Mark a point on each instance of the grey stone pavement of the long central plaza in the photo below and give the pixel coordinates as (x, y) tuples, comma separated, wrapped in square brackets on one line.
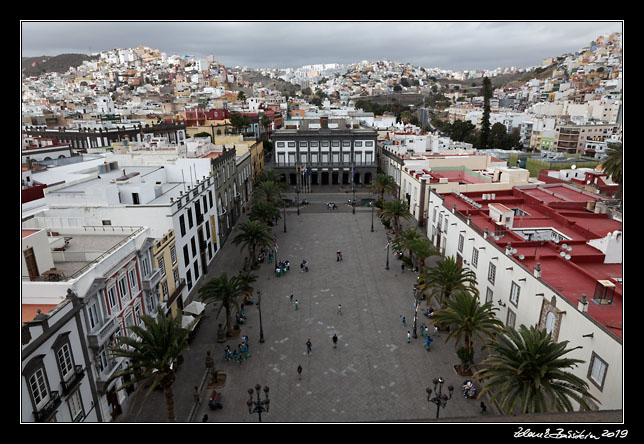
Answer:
[(373, 375)]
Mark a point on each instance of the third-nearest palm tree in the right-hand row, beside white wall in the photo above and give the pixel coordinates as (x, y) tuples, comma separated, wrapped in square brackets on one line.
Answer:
[(446, 277)]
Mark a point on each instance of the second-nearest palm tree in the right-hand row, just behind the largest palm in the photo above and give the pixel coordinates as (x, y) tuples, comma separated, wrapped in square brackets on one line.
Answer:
[(467, 320)]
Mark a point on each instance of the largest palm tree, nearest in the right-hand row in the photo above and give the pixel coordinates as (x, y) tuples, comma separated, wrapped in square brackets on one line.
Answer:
[(527, 371)]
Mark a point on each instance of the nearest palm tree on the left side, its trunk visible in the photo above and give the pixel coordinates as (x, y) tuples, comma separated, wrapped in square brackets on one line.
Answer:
[(152, 350)]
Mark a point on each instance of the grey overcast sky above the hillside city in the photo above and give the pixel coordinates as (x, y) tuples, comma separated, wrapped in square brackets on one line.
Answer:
[(447, 45)]
